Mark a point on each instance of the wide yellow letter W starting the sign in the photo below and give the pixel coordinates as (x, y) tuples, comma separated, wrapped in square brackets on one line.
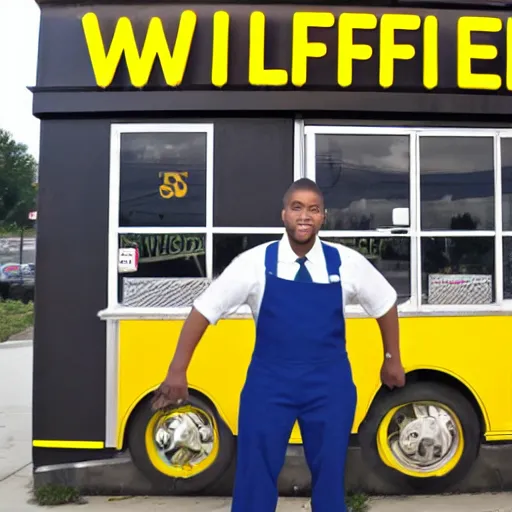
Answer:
[(139, 66)]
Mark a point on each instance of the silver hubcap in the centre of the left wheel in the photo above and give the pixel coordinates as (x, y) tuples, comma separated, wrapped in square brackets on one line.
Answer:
[(184, 438)]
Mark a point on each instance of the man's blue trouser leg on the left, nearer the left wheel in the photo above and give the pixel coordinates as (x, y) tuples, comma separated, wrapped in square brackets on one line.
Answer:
[(266, 417)]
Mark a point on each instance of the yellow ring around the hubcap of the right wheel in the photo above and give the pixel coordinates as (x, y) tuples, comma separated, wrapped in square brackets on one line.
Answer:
[(389, 459)]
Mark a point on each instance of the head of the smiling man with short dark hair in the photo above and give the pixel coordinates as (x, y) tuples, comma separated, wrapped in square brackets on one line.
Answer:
[(303, 211)]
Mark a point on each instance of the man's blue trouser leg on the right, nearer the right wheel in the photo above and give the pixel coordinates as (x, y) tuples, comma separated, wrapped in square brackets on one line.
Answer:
[(325, 421)]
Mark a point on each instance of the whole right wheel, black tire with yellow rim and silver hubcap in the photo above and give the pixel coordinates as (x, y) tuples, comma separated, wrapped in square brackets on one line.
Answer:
[(423, 437)]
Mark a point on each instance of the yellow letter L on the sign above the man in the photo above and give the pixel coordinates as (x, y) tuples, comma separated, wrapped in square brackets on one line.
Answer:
[(258, 75)]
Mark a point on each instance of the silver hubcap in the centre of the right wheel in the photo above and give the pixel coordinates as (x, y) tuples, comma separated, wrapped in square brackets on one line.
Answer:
[(423, 438)]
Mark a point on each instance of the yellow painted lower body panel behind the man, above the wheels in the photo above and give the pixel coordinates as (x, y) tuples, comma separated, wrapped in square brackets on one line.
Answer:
[(475, 350)]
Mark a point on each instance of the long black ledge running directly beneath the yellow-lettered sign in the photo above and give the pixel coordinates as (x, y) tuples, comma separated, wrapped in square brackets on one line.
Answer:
[(47, 104)]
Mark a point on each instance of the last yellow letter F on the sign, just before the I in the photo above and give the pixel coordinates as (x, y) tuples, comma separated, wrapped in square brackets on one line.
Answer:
[(389, 50)]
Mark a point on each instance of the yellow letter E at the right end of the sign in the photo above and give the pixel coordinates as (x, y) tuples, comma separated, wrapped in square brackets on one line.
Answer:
[(467, 51)]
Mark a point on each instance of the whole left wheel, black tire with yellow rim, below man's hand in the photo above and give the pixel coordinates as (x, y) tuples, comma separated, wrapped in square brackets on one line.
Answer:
[(184, 450)]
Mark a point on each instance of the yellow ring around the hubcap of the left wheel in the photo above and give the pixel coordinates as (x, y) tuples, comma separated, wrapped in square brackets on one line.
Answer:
[(176, 471)]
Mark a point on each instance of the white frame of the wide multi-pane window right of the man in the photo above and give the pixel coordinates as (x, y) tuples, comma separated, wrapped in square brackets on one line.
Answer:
[(415, 234)]
